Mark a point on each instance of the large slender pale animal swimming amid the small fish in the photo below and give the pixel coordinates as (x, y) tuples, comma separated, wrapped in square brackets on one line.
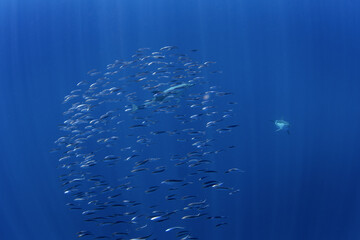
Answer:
[(160, 96)]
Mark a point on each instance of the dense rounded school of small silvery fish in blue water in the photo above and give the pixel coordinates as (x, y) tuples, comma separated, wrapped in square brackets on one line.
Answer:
[(141, 152)]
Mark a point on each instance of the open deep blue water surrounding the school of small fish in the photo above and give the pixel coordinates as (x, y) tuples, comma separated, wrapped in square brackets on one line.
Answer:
[(297, 60)]
